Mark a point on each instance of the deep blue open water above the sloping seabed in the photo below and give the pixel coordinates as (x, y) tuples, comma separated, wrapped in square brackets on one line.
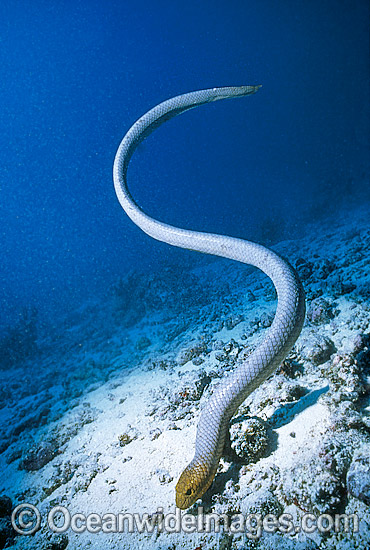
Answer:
[(75, 76)]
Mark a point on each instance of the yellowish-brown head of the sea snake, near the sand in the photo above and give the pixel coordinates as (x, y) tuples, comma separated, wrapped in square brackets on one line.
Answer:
[(193, 483)]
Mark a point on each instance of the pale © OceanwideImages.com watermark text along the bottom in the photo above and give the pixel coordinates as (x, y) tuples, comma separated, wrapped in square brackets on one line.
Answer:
[(27, 519)]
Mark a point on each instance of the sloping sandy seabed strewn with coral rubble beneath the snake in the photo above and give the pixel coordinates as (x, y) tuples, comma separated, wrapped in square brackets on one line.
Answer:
[(103, 419)]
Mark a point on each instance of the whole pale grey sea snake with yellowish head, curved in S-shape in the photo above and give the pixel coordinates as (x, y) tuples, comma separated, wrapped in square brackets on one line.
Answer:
[(233, 389)]
